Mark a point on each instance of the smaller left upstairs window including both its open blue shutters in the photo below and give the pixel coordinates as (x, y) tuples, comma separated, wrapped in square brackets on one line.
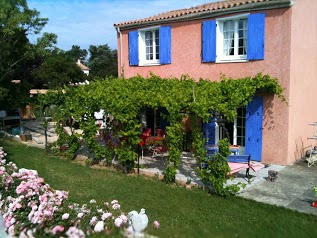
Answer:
[(150, 46)]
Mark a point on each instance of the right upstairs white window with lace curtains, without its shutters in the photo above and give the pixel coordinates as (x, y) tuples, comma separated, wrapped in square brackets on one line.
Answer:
[(232, 39)]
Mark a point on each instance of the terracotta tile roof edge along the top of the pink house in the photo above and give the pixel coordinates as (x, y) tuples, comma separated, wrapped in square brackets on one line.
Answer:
[(208, 7)]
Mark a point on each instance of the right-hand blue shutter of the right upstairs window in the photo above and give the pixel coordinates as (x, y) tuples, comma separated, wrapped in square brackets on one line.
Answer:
[(256, 31)]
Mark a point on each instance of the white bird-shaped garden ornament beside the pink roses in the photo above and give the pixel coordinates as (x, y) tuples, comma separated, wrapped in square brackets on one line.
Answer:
[(138, 221)]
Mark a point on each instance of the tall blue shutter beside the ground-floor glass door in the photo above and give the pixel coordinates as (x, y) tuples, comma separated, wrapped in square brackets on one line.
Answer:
[(253, 128)]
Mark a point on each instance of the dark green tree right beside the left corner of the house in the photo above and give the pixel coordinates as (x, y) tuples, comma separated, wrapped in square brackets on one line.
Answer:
[(103, 61)]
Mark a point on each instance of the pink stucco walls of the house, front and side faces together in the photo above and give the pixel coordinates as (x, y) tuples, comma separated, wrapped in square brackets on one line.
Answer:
[(284, 126)]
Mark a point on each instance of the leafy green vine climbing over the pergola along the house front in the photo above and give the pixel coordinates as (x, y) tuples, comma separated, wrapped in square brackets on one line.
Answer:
[(123, 99)]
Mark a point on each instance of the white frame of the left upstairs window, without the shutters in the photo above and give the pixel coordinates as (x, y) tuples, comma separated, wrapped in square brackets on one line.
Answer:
[(142, 48)]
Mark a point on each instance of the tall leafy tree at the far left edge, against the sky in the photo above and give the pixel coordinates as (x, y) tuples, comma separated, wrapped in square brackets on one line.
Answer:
[(16, 53)]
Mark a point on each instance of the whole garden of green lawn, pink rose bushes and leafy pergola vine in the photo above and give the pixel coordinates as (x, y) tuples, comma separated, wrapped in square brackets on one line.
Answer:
[(92, 193)]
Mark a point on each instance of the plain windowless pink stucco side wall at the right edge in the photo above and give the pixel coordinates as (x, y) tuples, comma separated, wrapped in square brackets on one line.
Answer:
[(303, 77)]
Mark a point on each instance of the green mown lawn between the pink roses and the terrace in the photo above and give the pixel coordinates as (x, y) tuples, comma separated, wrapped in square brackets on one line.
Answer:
[(181, 212)]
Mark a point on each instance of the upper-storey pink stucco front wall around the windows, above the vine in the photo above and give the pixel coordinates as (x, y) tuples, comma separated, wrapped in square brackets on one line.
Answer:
[(186, 52)]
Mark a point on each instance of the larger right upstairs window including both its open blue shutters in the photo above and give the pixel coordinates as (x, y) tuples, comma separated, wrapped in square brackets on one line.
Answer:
[(231, 39)]
